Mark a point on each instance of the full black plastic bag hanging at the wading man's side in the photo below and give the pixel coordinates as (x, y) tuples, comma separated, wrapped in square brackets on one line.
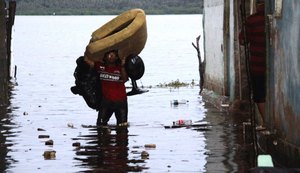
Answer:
[(87, 84)]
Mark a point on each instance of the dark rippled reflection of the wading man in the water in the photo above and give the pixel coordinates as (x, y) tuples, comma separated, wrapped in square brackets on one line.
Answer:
[(106, 150)]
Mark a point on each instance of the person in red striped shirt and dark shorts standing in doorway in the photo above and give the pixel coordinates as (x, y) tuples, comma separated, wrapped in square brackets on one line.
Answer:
[(256, 37)]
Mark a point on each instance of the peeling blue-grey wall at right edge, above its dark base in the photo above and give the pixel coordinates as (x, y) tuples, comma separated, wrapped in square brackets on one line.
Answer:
[(284, 71)]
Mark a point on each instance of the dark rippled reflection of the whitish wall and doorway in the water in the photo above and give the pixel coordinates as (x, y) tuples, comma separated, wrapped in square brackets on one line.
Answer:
[(226, 147)]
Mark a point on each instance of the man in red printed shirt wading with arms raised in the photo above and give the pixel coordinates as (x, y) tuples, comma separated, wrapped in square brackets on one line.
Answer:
[(112, 78)]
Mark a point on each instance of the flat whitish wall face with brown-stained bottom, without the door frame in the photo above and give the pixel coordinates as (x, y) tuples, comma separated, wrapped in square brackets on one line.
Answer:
[(213, 45)]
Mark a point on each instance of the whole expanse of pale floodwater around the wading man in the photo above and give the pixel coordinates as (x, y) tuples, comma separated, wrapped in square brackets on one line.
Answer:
[(42, 108)]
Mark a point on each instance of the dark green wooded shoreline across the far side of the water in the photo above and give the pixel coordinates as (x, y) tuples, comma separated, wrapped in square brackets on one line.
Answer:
[(102, 7)]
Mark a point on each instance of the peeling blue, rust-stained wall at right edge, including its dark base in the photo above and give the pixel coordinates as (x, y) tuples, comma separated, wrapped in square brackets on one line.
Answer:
[(283, 96)]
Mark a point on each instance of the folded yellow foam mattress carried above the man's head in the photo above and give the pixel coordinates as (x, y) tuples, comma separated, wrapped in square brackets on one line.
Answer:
[(126, 33)]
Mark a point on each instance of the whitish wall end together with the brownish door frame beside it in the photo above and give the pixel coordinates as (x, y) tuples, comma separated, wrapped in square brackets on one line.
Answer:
[(220, 48)]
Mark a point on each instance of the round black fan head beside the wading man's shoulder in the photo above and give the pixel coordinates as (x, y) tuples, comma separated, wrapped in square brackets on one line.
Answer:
[(135, 67)]
